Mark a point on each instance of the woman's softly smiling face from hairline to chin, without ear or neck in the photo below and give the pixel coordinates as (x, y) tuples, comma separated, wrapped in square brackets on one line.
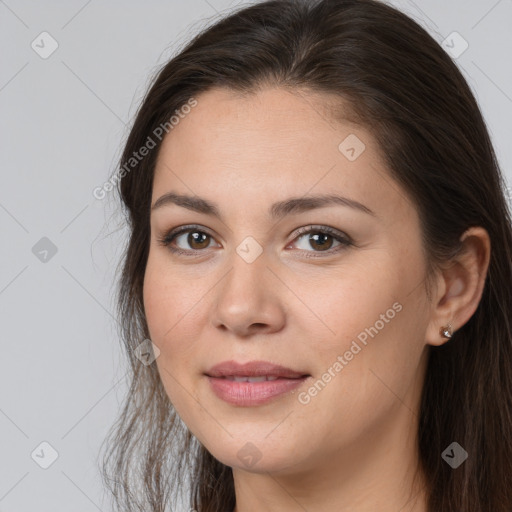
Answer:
[(249, 286)]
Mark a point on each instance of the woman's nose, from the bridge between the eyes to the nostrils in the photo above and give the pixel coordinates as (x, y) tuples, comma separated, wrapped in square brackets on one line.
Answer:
[(249, 299)]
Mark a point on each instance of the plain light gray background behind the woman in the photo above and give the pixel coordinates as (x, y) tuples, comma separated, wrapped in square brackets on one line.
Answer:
[(63, 120)]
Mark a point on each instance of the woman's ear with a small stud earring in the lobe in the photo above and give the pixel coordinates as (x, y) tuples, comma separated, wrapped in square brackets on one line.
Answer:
[(460, 285)]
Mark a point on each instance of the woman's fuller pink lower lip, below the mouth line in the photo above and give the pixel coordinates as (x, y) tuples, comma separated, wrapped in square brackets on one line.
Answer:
[(252, 393)]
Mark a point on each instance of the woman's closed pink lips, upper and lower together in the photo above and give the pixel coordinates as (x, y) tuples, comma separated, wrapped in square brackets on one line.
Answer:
[(246, 394)]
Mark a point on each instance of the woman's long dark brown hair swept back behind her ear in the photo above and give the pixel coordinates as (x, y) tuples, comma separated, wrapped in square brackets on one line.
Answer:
[(402, 86)]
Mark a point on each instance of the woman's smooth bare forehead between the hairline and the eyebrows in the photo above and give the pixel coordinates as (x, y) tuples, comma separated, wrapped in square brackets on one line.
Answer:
[(272, 143)]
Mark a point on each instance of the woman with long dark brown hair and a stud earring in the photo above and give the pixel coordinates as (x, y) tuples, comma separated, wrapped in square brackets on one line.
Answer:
[(320, 260)]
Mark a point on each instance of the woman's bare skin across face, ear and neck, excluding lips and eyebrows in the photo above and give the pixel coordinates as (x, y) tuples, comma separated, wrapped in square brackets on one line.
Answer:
[(352, 447)]
